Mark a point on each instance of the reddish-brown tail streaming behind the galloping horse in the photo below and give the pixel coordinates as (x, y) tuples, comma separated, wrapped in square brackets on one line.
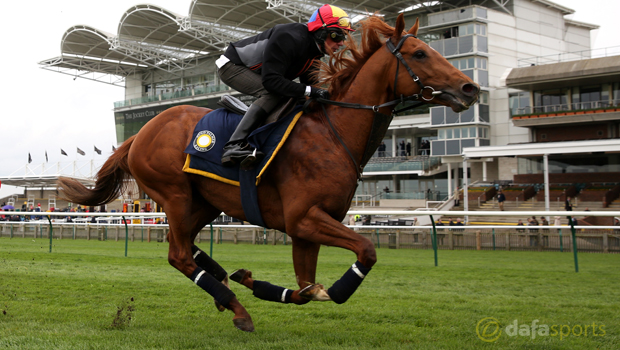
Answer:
[(110, 180)]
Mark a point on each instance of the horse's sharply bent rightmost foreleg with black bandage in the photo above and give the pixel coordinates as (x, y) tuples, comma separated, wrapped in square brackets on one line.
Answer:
[(319, 227)]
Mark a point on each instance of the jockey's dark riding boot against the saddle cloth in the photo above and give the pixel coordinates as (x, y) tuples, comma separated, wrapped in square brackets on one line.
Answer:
[(238, 150)]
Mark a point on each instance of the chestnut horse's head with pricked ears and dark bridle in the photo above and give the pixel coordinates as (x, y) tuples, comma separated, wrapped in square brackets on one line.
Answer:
[(451, 87)]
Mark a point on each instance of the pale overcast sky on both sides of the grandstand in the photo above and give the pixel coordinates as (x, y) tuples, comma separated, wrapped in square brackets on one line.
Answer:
[(46, 111)]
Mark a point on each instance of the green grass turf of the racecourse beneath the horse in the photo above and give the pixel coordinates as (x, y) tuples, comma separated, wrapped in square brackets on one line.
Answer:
[(82, 294)]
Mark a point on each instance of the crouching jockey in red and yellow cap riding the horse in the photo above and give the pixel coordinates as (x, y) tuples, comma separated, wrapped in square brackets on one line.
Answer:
[(265, 65)]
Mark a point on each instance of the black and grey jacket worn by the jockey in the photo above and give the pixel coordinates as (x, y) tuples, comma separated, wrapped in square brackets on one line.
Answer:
[(280, 54)]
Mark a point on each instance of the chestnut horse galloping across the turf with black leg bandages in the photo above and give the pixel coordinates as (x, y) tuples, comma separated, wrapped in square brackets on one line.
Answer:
[(309, 185)]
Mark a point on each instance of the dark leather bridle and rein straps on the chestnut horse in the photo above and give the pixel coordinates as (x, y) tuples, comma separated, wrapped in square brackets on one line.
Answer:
[(419, 98)]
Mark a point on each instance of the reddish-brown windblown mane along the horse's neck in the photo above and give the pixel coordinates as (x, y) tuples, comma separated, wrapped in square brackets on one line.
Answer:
[(343, 66)]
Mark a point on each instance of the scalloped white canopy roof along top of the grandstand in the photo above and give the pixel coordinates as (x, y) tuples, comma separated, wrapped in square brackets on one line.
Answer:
[(149, 36)]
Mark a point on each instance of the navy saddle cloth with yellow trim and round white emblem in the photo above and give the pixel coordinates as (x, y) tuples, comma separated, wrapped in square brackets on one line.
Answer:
[(204, 153)]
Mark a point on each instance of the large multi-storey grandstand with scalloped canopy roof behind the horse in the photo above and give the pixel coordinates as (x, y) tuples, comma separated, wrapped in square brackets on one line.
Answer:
[(547, 107)]
